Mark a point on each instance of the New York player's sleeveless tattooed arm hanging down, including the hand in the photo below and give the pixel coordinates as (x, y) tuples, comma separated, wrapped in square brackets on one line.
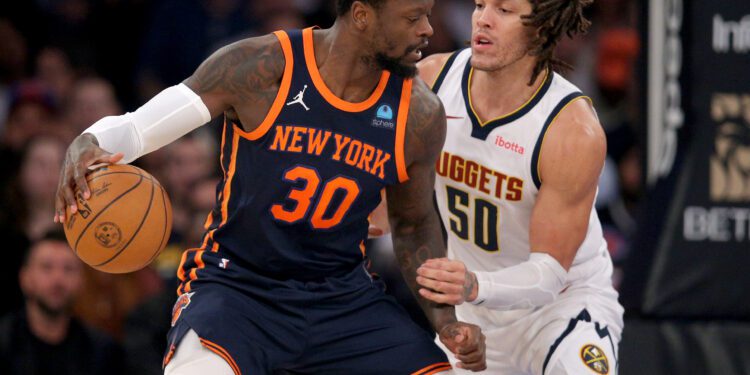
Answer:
[(417, 235)]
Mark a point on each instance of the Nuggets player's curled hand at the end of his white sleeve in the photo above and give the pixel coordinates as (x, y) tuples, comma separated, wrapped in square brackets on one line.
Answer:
[(447, 281)]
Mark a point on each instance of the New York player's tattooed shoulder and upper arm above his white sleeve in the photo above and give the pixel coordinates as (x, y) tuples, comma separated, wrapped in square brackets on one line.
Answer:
[(244, 72)]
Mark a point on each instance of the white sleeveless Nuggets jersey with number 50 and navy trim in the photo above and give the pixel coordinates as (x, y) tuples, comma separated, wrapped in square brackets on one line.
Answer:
[(488, 177)]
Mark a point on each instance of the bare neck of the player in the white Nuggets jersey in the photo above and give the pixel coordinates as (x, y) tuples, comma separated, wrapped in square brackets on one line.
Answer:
[(500, 92)]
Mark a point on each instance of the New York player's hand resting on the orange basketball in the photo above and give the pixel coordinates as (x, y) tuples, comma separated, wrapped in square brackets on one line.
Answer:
[(81, 154)]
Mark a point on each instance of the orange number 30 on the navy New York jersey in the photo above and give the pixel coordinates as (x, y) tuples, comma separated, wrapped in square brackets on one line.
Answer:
[(303, 197)]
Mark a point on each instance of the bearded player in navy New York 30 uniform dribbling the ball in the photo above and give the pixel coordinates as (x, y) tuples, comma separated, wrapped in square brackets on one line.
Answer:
[(317, 123)]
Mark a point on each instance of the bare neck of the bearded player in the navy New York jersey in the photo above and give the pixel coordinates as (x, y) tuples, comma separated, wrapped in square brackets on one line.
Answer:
[(340, 61)]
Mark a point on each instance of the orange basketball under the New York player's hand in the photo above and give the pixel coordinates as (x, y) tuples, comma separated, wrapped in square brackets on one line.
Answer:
[(125, 223)]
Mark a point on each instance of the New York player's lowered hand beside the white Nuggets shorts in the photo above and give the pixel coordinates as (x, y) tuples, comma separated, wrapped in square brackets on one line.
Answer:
[(467, 343)]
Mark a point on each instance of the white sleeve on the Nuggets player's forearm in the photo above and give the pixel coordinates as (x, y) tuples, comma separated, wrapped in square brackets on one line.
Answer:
[(526, 285)]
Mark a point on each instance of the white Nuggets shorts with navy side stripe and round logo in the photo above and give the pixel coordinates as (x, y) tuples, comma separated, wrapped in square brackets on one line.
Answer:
[(576, 334)]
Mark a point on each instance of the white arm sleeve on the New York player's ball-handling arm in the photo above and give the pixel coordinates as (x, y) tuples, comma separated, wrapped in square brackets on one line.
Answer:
[(169, 115)]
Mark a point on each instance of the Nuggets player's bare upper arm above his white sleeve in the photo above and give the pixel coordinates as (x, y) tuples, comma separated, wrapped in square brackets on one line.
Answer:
[(570, 162)]
